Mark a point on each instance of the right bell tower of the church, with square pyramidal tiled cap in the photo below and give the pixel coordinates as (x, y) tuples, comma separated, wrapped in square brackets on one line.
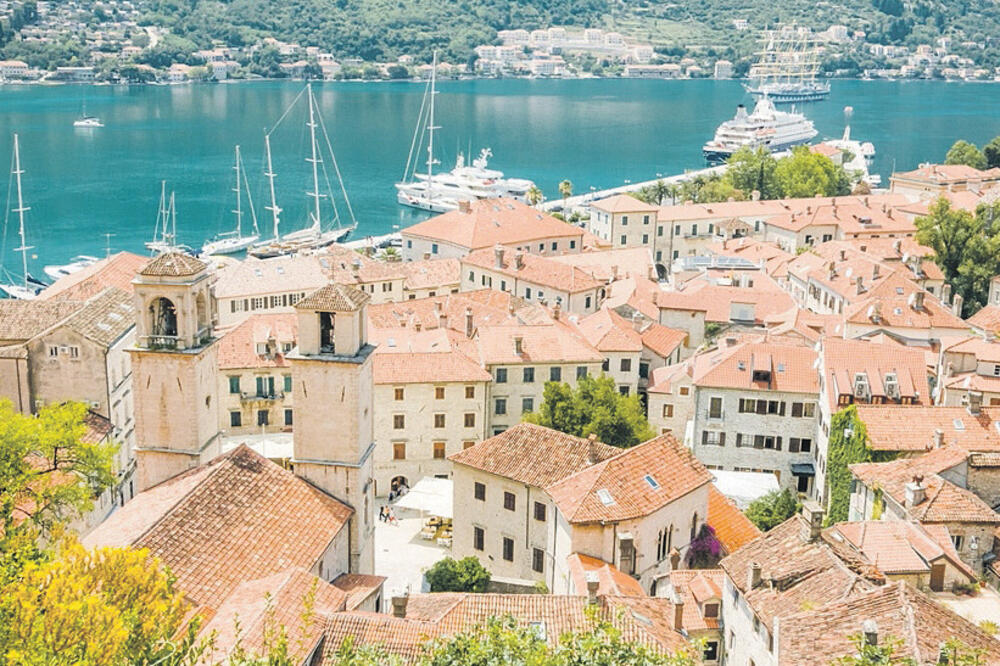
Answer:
[(333, 383)]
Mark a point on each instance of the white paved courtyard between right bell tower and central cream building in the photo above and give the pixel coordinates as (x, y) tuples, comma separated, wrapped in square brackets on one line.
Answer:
[(401, 555)]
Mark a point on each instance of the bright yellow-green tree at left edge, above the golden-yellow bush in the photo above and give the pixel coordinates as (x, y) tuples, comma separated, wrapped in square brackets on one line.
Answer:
[(48, 473)]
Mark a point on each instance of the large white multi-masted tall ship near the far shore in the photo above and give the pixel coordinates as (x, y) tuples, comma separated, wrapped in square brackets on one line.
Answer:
[(787, 67)]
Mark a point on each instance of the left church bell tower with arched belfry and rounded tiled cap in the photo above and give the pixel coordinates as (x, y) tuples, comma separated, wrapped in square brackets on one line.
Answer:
[(174, 368)]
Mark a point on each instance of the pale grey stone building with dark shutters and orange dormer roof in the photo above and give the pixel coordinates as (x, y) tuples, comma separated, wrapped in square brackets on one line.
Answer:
[(755, 409)]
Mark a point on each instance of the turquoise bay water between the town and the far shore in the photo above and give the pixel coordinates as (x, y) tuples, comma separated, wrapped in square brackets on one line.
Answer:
[(82, 184)]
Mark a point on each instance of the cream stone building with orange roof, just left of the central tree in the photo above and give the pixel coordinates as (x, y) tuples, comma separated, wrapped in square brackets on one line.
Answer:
[(522, 358)]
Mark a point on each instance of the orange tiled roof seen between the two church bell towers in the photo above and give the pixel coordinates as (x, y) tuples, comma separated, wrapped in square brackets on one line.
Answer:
[(238, 346)]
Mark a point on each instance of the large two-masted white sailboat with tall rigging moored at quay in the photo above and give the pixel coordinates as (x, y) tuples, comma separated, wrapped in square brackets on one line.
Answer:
[(313, 236)]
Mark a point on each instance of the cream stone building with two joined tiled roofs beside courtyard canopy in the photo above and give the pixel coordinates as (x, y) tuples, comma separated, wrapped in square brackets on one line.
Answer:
[(529, 498)]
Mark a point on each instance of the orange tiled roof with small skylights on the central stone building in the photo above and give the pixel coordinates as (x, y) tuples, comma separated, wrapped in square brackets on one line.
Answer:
[(618, 488)]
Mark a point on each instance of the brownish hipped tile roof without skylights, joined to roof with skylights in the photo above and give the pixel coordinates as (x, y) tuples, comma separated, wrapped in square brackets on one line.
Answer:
[(534, 455)]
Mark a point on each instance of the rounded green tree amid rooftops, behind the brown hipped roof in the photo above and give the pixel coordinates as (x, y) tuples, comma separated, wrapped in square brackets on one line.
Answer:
[(594, 407)]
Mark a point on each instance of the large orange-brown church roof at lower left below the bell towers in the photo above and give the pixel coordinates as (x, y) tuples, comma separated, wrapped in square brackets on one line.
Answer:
[(198, 524)]
